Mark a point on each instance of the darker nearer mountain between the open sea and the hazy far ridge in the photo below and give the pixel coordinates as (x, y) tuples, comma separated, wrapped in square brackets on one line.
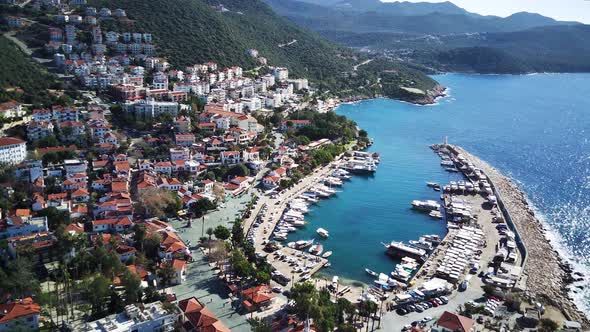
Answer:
[(542, 49)]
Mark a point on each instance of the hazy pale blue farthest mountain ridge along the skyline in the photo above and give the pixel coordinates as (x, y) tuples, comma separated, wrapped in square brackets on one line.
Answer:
[(423, 17)]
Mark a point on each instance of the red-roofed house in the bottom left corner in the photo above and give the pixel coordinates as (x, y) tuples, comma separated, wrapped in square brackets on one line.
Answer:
[(23, 314)]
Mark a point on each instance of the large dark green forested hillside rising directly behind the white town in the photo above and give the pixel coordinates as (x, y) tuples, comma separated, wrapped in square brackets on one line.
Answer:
[(192, 31)]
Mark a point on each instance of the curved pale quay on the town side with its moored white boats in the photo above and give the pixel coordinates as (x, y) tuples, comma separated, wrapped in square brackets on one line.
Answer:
[(282, 214)]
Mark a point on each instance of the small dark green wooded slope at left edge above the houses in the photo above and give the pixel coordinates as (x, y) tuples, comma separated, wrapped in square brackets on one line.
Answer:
[(19, 72)]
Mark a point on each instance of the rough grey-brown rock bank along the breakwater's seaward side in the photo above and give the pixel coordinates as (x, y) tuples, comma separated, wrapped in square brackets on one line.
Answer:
[(547, 274)]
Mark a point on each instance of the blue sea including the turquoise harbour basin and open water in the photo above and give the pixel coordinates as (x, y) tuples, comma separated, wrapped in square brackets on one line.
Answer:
[(533, 128)]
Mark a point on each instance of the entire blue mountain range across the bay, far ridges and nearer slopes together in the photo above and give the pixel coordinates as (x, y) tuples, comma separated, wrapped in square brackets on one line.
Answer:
[(443, 36)]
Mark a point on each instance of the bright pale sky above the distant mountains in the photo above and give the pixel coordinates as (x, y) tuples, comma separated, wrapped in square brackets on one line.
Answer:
[(563, 10)]
